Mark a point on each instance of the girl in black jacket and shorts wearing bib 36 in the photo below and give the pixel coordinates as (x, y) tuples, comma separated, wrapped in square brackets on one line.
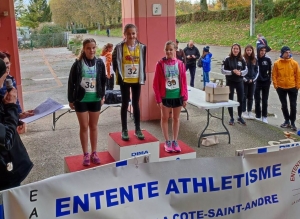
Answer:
[(86, 88)]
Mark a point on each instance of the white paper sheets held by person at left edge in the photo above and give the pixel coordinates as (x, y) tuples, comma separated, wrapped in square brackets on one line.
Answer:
[(44, 109)]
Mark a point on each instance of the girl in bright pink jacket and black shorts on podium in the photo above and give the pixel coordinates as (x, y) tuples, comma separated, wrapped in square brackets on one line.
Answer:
[(171, 94)]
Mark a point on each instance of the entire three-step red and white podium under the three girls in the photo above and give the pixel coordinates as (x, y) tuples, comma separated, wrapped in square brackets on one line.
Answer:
[(122, 150)]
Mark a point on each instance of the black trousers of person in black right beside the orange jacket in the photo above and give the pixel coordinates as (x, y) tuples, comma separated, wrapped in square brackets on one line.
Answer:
[(262, 88)]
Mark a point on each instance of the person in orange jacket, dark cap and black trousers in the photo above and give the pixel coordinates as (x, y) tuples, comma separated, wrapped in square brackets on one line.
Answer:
[(286, 81)]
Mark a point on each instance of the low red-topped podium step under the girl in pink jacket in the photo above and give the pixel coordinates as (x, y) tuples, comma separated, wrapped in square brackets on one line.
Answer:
[(186, 152)]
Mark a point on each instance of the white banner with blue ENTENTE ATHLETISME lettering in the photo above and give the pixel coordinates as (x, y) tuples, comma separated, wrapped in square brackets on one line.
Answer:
[(255, 186)]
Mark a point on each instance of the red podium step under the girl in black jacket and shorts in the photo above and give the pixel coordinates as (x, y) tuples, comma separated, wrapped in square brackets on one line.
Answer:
[(74, 163)]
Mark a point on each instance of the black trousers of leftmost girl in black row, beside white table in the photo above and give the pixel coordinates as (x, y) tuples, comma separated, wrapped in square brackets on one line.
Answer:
[(239, 87)]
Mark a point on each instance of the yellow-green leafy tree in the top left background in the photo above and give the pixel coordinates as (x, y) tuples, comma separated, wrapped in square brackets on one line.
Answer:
[(38, 11)]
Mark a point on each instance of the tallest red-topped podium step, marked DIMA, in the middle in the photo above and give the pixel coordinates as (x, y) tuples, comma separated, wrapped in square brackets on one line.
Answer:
[(121, 150)]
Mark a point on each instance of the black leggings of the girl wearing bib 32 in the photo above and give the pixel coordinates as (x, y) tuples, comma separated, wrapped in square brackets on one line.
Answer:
[(135, 94)]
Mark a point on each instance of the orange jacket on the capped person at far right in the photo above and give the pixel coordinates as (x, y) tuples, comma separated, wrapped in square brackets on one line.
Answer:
[(286, 74)]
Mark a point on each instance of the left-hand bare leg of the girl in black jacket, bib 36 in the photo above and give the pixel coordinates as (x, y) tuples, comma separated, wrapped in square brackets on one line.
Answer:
[(83, 130)]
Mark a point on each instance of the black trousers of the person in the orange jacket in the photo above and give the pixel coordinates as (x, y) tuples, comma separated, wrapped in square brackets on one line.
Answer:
[(292, 93)]
